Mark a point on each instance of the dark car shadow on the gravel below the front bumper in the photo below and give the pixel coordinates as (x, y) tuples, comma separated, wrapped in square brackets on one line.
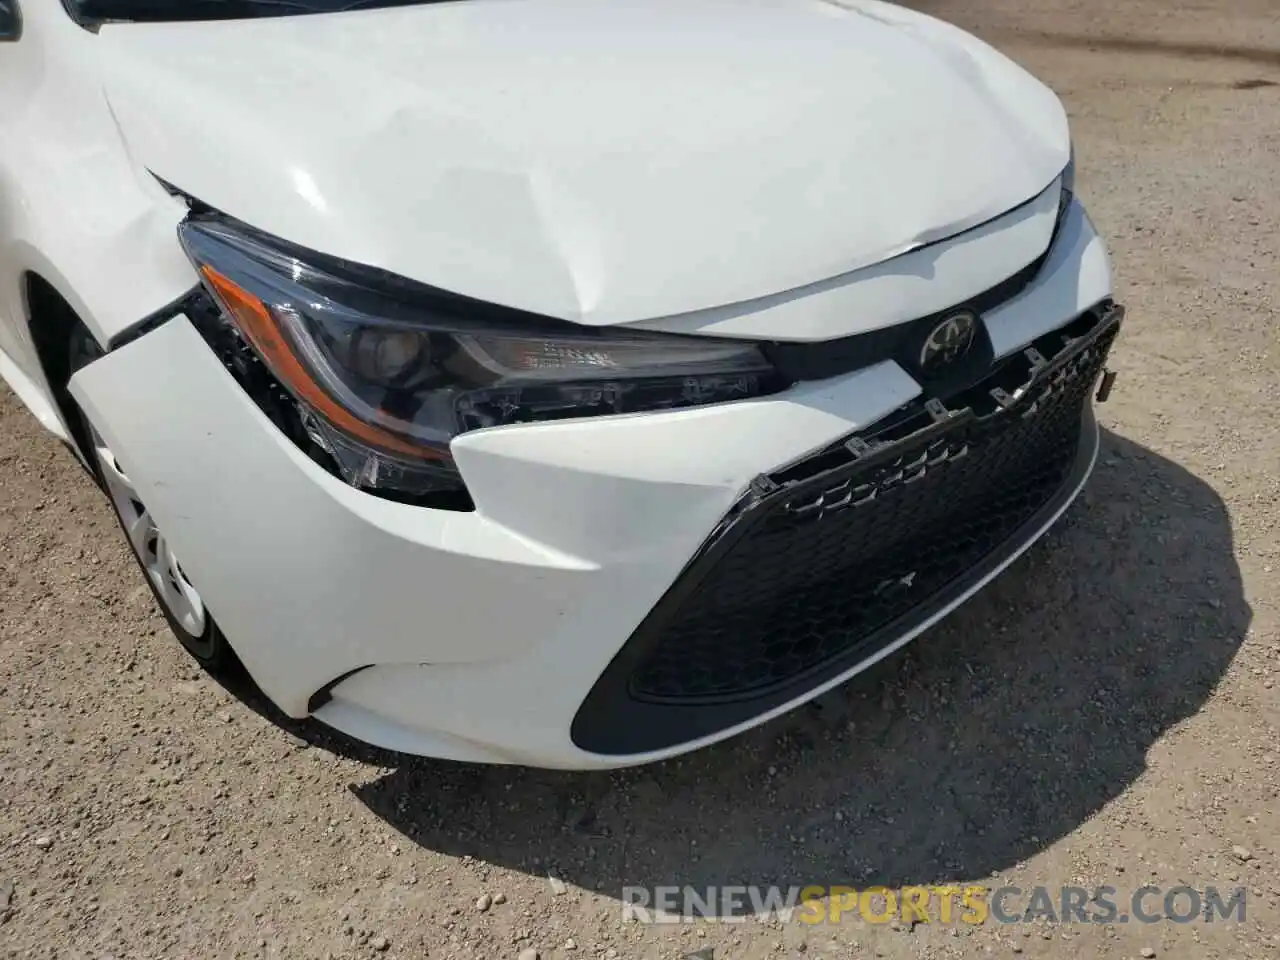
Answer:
[(994, 735)]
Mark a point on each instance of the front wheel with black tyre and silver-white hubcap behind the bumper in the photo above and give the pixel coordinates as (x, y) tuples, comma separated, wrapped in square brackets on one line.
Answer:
[(179, 598)]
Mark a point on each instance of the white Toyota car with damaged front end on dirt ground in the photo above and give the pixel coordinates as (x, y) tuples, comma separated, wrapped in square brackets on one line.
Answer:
[(548, 382)]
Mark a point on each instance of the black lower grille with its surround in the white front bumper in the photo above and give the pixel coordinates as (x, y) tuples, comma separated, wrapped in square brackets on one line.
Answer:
[(836, 556)]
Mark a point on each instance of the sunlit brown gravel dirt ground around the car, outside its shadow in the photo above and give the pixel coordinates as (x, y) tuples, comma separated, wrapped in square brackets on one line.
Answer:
[(1104, 715)]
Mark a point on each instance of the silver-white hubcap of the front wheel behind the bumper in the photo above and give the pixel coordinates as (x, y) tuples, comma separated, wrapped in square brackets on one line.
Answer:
[(173, 588)]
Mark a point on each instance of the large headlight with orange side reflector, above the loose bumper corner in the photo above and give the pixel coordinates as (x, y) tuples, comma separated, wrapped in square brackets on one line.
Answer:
[(387, 372)]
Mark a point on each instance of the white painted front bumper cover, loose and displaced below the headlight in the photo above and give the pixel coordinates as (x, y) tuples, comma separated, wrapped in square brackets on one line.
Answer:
[(477, 637)]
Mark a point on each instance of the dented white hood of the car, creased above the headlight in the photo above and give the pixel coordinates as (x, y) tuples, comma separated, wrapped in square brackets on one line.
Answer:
[(597, 162)]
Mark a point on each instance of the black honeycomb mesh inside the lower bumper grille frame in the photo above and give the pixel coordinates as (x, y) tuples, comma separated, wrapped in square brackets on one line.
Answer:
[(826, 569)]
